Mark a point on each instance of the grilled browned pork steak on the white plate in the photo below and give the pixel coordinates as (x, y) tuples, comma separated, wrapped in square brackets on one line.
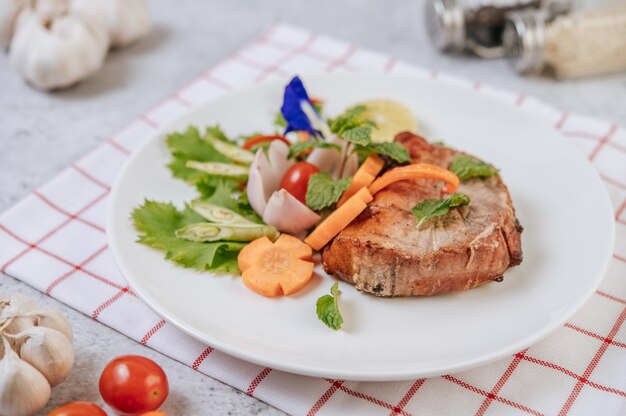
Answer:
[(382, 252)]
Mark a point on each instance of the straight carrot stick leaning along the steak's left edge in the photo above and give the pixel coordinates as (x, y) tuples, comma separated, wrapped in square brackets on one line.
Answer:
[(339, 219)]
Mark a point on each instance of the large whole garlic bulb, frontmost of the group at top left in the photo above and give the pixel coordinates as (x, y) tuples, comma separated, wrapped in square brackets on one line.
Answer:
[(55, 47)]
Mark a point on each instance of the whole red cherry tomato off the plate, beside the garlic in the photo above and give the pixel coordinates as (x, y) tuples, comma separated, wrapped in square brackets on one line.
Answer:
[(132, 384)]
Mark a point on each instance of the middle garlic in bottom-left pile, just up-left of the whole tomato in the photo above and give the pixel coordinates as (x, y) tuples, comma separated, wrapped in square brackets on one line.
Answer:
[(49, 351)]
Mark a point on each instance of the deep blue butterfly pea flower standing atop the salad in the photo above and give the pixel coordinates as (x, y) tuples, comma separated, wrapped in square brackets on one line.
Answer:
[(294, 100)]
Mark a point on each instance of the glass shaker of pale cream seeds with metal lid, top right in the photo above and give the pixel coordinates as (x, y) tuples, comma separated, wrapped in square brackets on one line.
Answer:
[(570, 46)]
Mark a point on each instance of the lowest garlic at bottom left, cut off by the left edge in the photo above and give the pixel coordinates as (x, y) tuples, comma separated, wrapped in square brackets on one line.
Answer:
[(23, 390)]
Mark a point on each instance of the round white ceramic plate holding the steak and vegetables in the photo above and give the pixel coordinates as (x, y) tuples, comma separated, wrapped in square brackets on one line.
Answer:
[(560, 201)]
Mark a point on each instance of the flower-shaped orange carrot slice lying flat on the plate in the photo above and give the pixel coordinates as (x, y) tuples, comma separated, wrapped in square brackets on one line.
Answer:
[(275, 269)]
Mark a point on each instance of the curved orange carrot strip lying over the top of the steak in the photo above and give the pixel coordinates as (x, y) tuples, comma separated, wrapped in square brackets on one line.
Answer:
[(416, 171)]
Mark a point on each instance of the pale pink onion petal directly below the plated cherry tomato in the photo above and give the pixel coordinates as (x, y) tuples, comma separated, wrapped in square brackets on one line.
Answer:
[(289, 215)]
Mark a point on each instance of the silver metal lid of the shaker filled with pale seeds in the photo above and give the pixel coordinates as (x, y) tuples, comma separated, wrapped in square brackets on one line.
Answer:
[(524, 41)]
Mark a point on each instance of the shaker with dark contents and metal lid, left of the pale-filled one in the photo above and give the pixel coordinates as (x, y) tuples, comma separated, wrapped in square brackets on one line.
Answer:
[(476, 25)]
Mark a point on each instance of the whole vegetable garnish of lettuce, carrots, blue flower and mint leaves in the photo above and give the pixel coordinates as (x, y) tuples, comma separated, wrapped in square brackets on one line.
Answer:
[(260, 195)]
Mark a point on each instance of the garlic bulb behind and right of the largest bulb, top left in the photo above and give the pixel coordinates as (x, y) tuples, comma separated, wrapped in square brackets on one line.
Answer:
[(127, 21)]
